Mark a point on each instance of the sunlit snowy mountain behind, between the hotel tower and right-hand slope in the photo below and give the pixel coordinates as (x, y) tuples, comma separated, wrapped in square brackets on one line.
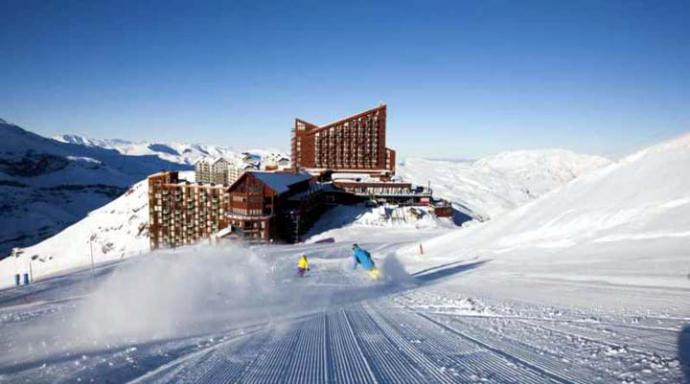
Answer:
[(489, 187)]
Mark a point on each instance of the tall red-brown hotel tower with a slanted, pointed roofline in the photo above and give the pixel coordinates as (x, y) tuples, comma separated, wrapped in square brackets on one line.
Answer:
[(353, 144)]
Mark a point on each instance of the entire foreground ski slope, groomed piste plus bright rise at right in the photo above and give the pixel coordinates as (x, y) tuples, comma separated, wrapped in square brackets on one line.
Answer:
[(584, 285)]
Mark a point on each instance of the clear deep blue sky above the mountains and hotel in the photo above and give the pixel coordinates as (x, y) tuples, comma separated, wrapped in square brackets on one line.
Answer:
[(461, 79)]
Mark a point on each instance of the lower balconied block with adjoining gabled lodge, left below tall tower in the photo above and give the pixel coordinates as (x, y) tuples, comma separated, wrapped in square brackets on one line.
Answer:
[(263, 206)]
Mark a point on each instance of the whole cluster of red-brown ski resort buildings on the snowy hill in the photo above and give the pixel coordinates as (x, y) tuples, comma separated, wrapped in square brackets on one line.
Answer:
[(338, 163)]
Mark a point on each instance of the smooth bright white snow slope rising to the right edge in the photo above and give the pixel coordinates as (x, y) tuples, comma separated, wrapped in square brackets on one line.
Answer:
[(628, 223)]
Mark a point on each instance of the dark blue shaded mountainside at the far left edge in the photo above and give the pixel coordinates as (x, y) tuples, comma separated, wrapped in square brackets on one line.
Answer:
[(46, 185)]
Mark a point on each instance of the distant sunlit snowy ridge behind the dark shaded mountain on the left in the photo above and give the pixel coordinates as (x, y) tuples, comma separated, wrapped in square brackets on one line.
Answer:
[(174, 152)]
